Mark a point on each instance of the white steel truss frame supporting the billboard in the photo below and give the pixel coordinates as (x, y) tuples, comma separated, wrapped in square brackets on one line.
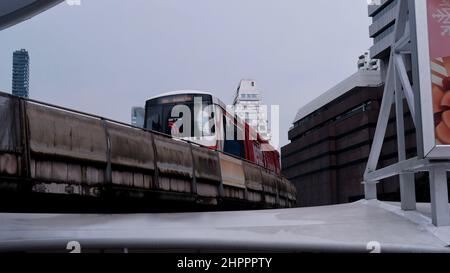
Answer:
[(397, 87)]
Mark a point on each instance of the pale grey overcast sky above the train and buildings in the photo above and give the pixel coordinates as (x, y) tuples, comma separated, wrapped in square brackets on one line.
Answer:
[(107, 55)]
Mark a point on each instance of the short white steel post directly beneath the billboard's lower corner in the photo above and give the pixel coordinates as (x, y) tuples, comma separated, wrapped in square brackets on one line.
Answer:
[(439, 197)]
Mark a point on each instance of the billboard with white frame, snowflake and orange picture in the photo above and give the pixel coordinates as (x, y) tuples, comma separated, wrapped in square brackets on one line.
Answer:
[(433, 50)]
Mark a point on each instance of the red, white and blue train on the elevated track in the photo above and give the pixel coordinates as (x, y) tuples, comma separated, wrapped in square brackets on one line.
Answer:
[(210, 123)]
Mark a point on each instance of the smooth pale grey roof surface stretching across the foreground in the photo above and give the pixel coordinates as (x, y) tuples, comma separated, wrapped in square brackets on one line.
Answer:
[(356, 227)]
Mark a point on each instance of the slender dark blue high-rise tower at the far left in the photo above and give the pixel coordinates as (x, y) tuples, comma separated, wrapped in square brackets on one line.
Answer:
[(21, 73)]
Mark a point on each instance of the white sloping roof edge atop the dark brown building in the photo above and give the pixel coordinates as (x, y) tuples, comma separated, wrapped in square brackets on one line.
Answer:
[(362, 78)]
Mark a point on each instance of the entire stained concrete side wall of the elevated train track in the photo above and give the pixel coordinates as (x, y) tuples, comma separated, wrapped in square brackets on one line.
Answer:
[(63, 151)]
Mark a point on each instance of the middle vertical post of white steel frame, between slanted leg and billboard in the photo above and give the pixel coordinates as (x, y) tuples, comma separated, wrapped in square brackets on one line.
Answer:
[(407, 183)]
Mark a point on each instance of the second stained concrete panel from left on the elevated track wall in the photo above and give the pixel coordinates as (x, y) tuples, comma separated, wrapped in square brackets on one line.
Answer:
[(65, 147)]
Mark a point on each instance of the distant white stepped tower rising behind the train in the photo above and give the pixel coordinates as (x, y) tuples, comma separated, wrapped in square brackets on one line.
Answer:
[(247, 102)]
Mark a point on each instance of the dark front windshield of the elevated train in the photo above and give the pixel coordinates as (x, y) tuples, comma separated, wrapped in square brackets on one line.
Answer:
[(181, 115)]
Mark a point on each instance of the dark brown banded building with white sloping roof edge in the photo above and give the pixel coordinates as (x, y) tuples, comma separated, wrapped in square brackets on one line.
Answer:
[(330, 141)]
